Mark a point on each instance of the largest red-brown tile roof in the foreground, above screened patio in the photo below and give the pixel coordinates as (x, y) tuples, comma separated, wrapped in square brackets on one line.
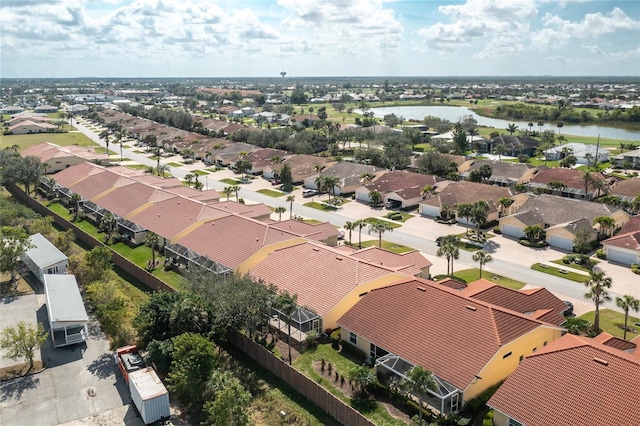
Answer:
[(433, 326)]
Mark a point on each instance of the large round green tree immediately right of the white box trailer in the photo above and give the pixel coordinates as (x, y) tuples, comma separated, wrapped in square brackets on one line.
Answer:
[(194, 358)]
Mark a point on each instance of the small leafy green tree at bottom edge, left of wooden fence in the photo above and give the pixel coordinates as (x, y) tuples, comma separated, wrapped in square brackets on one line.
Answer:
[(231, 401)]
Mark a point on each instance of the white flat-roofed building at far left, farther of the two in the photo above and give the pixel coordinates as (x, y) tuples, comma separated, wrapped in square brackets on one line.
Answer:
[(44, 258)]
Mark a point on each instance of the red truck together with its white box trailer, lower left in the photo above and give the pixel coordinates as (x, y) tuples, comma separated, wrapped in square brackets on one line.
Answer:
[(149, 395)]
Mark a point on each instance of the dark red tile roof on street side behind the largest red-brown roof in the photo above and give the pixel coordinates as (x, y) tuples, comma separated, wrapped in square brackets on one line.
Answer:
[(539, 303)]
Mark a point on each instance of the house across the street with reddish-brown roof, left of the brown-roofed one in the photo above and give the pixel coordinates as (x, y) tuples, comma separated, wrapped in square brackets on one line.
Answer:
[(400, 187)]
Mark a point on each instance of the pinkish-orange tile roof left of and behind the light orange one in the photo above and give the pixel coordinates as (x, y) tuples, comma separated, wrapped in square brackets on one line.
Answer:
[(230, 240)]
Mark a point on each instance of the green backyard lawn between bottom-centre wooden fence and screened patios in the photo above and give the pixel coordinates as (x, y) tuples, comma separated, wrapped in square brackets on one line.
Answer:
[(343, 365)]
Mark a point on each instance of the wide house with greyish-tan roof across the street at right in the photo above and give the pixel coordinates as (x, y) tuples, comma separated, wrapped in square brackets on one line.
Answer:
[(560, 217)]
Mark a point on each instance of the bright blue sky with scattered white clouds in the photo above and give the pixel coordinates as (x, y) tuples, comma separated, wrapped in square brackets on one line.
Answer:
[(252, 38)]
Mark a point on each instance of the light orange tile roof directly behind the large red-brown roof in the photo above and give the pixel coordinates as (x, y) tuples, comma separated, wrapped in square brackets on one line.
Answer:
[(322, 276)]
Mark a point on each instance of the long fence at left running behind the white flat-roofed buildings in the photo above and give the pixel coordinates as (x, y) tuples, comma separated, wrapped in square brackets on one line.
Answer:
[(118, 260)]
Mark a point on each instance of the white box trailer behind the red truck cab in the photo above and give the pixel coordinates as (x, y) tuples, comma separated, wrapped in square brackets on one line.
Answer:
[(149, 395)]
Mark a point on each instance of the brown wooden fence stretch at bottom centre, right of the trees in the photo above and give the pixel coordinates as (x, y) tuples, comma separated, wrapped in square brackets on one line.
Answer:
[(305, 386)]
